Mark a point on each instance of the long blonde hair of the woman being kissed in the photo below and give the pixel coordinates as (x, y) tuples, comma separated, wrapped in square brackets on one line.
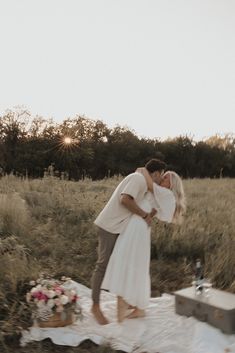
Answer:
[(178, 191)]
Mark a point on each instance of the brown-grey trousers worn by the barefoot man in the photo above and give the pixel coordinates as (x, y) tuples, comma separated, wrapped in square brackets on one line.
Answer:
[(105, 247)]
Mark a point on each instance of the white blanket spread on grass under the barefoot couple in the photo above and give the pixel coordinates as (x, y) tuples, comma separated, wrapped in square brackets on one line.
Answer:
[(160, 331)]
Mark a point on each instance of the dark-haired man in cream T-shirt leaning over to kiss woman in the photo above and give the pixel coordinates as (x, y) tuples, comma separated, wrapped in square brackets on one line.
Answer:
[(114, 218)]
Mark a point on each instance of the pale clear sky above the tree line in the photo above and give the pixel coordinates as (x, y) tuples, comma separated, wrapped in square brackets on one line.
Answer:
[(162, 68)]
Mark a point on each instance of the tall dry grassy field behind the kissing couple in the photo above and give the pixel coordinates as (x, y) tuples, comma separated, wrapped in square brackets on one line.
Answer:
[(47, 225)]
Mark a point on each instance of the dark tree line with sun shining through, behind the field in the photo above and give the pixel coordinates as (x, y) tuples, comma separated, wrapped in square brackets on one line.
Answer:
[(81, 147)]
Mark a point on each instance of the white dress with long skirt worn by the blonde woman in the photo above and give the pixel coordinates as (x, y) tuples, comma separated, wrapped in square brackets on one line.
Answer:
[(127, 273)]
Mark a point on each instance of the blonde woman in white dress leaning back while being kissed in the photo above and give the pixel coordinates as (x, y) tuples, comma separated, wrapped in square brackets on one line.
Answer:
[(127, 274)]
